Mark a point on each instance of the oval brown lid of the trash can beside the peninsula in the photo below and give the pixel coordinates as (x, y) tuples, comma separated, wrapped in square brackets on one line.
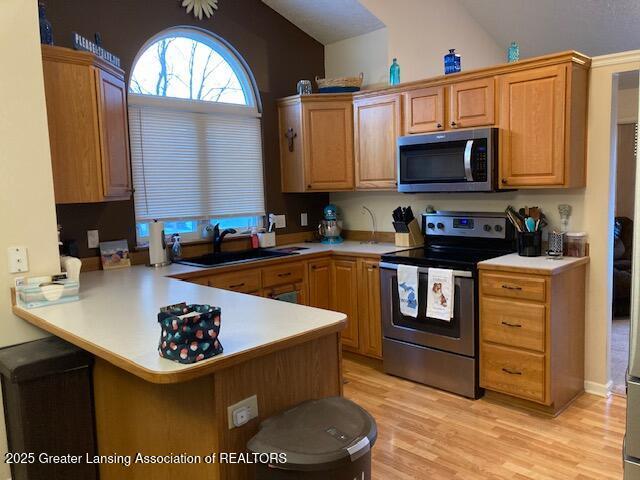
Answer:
[(317, 434)]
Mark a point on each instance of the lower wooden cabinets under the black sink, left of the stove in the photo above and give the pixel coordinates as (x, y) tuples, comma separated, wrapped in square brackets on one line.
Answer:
[(350, 285)]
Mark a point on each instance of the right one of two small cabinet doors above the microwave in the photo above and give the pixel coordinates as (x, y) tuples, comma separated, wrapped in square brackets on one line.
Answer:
[(472, 103)]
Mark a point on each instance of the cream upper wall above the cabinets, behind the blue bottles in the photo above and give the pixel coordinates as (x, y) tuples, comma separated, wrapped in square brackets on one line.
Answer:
[(419, 33)]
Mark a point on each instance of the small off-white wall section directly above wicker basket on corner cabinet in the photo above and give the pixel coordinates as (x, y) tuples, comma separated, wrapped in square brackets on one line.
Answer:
[(347, 58)]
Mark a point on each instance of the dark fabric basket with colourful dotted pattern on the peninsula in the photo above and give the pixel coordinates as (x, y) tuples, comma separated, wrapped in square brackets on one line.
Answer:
[(189, 333)]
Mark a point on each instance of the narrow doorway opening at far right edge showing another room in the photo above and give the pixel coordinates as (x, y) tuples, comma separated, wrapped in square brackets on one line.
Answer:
[(626, 147)]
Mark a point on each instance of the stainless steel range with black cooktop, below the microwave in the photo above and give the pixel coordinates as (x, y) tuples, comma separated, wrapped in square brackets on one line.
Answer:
[(442, 354)]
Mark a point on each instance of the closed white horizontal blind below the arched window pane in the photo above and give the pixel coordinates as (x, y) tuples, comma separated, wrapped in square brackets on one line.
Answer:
[(195, 164)]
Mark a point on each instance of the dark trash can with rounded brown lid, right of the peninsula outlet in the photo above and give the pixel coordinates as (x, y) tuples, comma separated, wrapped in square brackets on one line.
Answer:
[(322, 439)]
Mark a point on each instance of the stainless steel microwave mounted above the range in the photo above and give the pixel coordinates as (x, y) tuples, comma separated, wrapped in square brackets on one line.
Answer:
[(456, 161)]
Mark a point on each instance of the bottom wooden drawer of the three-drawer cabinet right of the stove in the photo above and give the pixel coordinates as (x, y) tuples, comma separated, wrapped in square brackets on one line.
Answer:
[(513, 372)]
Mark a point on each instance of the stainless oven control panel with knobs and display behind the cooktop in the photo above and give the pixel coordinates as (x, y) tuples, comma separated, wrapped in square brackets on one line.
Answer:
[(466, 224)]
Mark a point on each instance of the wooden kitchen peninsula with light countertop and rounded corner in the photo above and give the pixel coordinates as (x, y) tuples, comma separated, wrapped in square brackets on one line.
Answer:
[(281, 352)]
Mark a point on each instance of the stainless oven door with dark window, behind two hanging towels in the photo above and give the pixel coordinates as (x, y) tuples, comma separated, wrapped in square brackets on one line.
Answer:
[(455, 336)]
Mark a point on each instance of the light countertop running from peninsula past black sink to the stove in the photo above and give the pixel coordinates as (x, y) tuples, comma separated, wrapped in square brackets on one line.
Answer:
[(116, 317)]
